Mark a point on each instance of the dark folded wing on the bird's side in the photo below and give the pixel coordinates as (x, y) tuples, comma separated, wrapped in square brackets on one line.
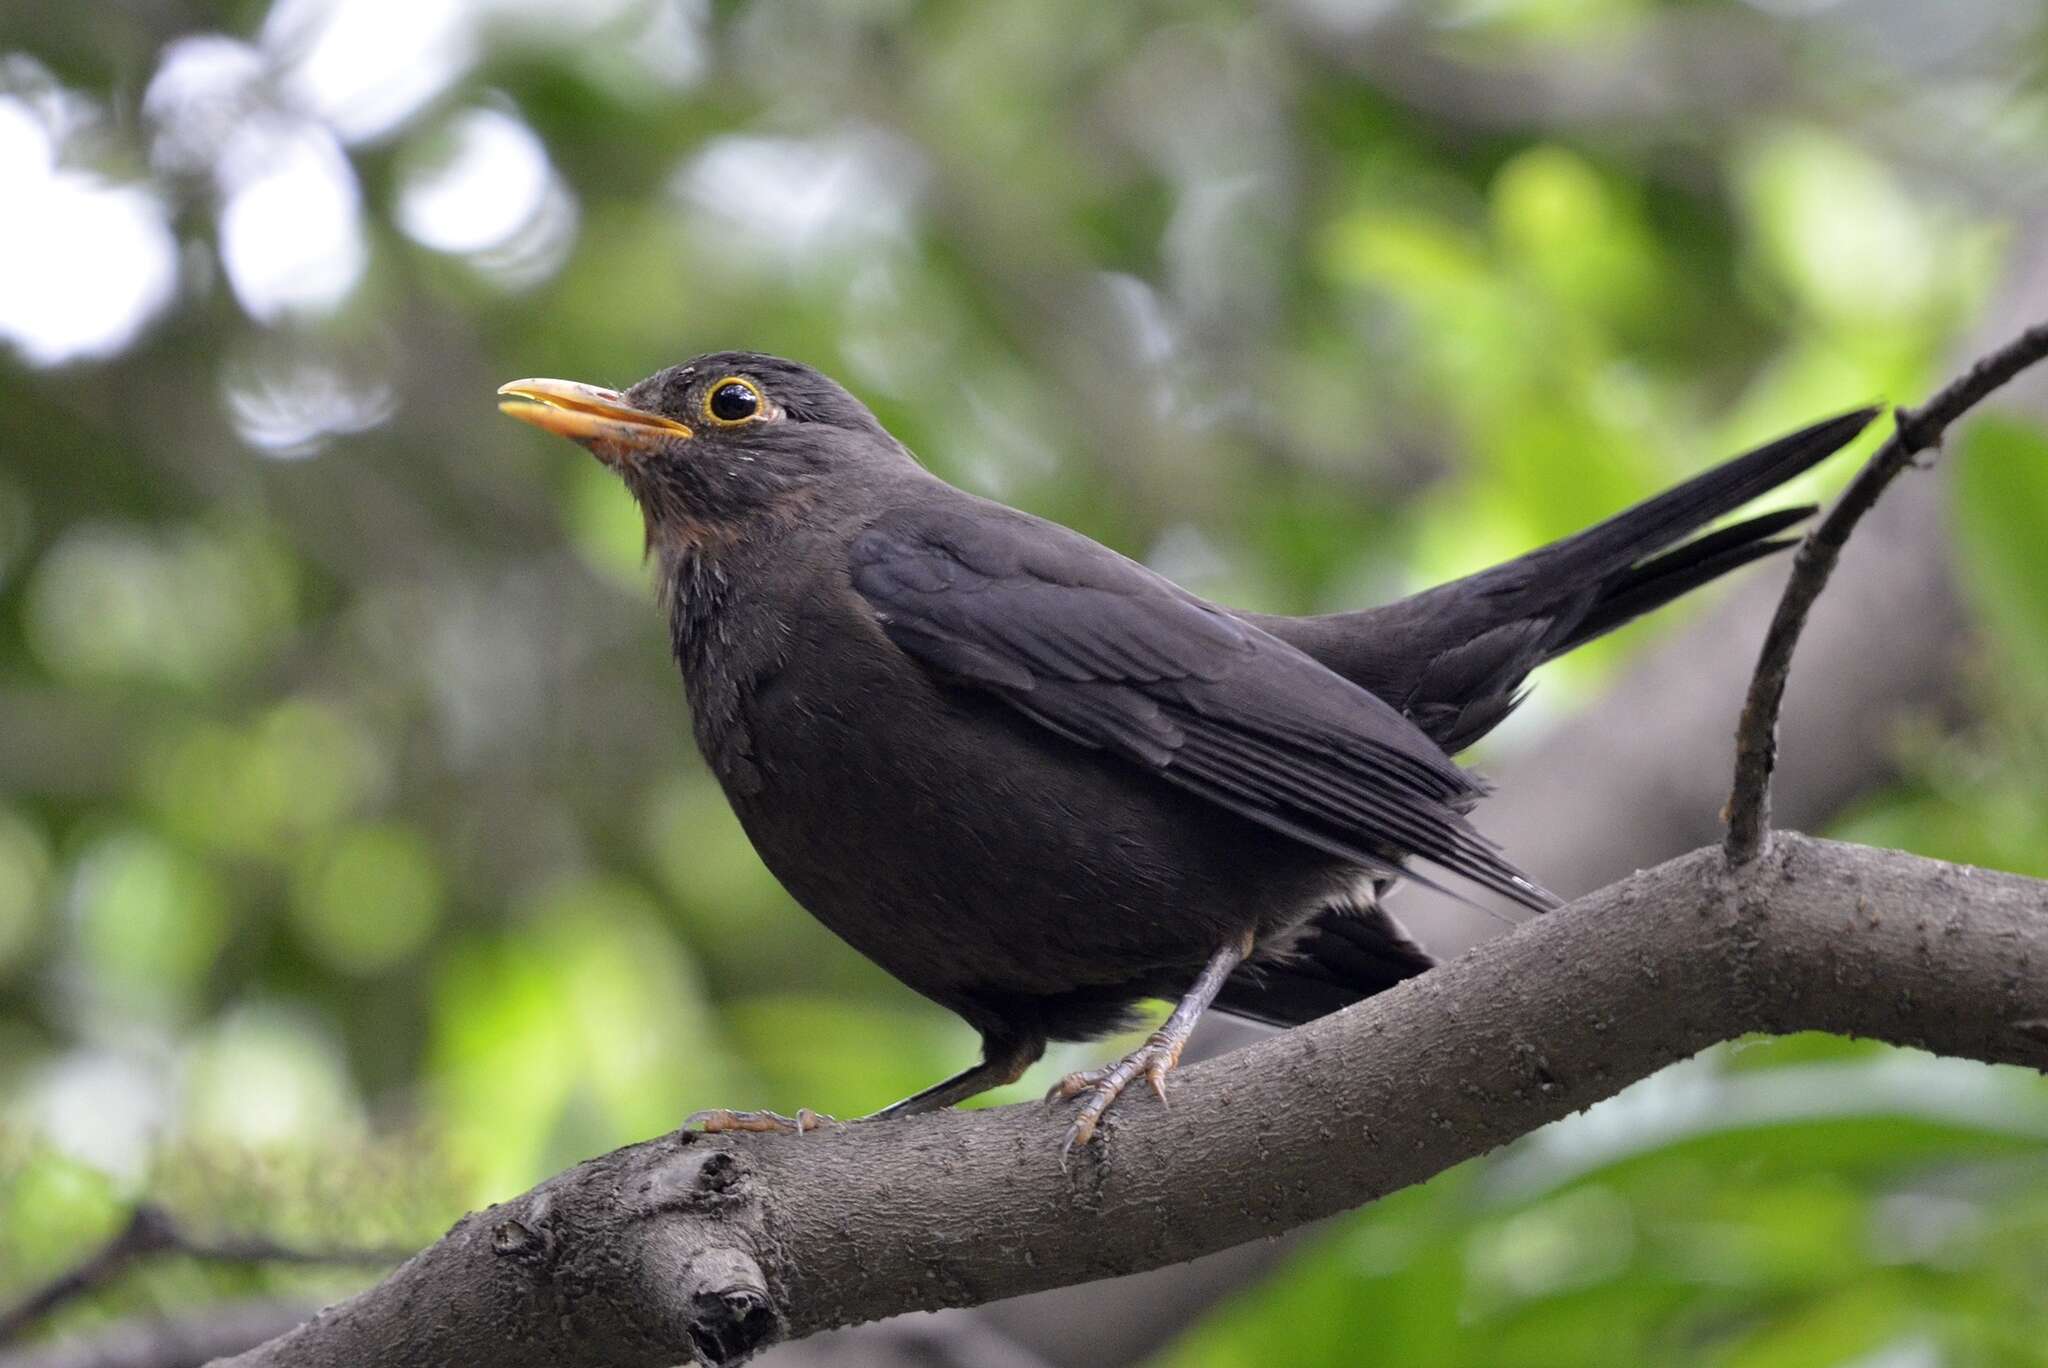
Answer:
[(1113, 656)]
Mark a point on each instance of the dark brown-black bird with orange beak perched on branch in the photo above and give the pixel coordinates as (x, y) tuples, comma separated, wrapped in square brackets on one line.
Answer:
[(1041, 783)]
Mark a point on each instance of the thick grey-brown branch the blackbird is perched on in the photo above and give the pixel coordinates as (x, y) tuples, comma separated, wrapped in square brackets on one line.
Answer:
[(718, 1246)]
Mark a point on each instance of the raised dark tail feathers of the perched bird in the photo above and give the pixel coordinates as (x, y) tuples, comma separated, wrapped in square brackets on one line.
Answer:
[(1455, 658)]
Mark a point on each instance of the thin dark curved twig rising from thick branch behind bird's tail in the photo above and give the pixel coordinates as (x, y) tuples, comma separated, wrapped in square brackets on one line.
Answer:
[(1756, 740)]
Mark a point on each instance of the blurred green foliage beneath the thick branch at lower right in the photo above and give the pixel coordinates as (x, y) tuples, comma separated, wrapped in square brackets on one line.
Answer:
[(1785, 1203)]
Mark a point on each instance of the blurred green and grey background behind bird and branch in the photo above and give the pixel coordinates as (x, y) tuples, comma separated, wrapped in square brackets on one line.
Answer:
[(355, 861)]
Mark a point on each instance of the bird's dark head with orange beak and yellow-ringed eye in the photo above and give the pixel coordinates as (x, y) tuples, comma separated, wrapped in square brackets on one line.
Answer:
[(718, 441)]
